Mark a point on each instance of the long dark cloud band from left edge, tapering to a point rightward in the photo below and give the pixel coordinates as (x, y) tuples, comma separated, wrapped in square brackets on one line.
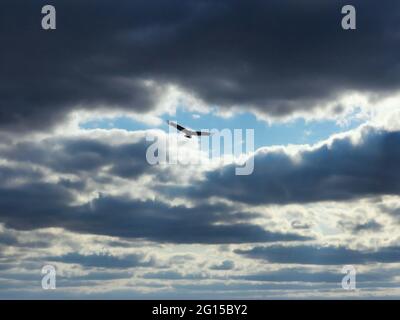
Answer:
[(49, 205)]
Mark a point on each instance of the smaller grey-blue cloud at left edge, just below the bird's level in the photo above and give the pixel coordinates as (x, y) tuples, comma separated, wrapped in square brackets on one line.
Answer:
[(82, 156)]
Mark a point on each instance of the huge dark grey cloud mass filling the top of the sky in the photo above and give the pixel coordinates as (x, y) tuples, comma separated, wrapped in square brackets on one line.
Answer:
[(276, 56)]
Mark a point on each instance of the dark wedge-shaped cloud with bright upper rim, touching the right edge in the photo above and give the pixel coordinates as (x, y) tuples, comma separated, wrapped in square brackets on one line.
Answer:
[(341, 171)]
